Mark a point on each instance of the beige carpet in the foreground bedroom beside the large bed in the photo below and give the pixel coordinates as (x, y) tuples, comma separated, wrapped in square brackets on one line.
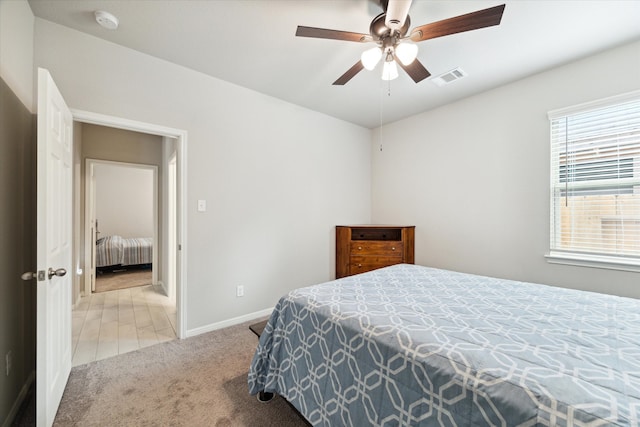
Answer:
[(198, 381)]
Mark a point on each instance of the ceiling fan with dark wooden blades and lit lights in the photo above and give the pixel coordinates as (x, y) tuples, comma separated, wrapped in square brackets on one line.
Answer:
[(389, 31)]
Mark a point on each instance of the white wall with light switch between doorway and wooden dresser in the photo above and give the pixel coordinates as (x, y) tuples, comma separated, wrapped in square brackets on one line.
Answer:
[(277, 177)]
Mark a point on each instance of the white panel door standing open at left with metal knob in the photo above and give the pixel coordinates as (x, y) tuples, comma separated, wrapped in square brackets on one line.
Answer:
[(54, 246)]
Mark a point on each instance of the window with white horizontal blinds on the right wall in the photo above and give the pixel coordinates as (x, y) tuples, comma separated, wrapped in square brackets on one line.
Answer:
[(595, 183)]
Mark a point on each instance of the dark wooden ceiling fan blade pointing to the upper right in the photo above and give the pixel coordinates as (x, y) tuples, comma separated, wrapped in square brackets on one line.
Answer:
[(470, 21)]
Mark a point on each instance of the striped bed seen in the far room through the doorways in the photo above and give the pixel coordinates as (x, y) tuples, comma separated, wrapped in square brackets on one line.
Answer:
[(117, 251)]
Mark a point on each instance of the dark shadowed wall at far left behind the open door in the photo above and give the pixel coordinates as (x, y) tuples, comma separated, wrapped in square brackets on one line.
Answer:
[(17, 237)]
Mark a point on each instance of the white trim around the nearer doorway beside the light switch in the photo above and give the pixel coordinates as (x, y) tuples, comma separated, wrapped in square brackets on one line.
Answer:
[(181, 228)]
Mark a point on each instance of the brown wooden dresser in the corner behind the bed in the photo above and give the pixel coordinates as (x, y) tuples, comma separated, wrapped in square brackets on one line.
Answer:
[(361, 248)]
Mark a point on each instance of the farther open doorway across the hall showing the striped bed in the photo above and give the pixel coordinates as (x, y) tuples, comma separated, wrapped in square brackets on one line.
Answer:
[(122, 219)]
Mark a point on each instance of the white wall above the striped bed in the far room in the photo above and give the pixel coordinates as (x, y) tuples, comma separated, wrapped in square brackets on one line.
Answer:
[(124, 200)]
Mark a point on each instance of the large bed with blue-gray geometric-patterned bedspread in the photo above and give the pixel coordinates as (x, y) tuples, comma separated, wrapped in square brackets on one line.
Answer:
[(412, 345)]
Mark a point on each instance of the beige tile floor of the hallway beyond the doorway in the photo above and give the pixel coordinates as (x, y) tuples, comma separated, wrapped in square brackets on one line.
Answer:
[(110, 323)]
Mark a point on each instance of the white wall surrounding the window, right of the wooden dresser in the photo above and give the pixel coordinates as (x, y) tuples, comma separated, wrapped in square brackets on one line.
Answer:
[(473, 176)]
